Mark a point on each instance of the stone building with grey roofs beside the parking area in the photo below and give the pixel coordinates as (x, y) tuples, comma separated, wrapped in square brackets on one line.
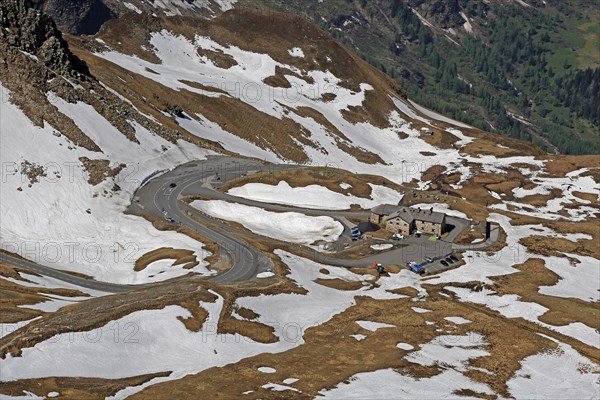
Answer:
[(404, 220)]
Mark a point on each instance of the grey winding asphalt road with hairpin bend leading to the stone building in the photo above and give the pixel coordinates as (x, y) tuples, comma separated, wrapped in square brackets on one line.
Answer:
[(159, 199)]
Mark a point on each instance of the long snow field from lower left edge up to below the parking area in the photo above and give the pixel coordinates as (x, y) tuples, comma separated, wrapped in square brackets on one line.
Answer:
[(154, 340)]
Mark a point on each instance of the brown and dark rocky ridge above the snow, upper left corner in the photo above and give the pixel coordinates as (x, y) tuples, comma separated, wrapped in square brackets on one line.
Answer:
[(35, 60)]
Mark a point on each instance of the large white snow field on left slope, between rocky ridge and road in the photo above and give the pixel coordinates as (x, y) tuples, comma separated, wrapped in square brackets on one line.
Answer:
[(64, 222)]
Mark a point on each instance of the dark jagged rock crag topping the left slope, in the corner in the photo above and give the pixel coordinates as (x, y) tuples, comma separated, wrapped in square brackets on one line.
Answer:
[(30, 31)]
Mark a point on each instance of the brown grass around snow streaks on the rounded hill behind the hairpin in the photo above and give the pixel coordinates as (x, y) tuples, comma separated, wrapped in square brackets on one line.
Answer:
[(254, 31)]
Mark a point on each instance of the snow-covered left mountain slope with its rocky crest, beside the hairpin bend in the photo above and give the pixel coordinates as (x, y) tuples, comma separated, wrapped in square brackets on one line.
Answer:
[(74, 153)]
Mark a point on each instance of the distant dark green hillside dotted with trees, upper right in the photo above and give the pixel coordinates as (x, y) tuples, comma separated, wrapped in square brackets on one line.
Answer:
[(509, 67)]
